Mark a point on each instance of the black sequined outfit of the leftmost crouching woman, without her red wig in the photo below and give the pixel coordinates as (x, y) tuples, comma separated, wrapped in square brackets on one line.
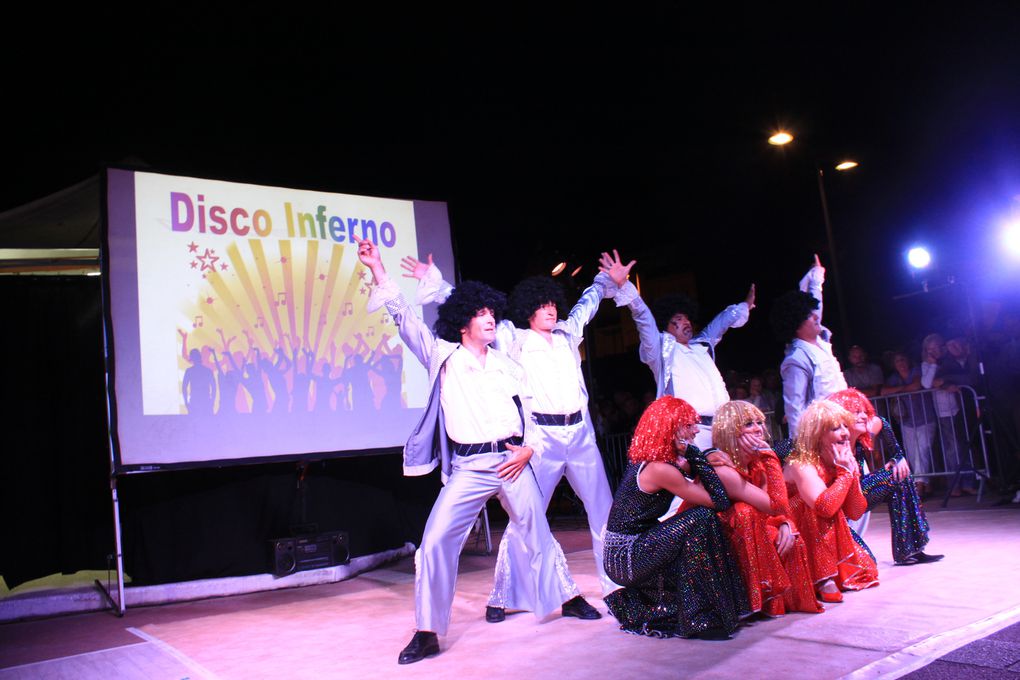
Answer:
[(681, 577)]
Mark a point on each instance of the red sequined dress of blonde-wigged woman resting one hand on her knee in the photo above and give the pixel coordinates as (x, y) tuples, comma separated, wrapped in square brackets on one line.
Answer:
[(776, 586)]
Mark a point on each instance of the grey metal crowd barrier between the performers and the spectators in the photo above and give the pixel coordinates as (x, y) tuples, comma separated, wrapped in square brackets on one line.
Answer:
[(941, 433)]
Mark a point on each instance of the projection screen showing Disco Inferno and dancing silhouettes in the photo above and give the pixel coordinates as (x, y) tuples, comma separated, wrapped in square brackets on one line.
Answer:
[(238, 327)]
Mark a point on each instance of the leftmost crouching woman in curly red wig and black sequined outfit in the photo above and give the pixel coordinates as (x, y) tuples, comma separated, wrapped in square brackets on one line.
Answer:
[(681, 578)]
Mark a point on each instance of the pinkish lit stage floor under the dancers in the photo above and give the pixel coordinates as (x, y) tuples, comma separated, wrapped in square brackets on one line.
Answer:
[(356, 629)]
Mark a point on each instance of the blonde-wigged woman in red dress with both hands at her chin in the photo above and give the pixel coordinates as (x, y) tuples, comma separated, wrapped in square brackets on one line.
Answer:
[(826, 477)]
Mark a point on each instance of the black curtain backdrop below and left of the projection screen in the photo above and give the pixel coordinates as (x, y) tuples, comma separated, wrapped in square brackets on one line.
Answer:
[(178, 526)]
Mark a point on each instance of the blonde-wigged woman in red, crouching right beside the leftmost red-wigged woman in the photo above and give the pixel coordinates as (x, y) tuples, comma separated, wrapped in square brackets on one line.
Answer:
[(773, 556)]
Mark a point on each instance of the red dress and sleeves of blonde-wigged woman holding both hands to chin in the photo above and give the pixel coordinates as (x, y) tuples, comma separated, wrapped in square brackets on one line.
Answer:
[(833, 553)]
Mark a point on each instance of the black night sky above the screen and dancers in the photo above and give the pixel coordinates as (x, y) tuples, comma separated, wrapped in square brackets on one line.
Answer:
[(554, 134)]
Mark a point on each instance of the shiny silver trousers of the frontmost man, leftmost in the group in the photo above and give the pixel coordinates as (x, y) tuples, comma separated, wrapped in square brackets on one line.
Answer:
[(473, 482)]
